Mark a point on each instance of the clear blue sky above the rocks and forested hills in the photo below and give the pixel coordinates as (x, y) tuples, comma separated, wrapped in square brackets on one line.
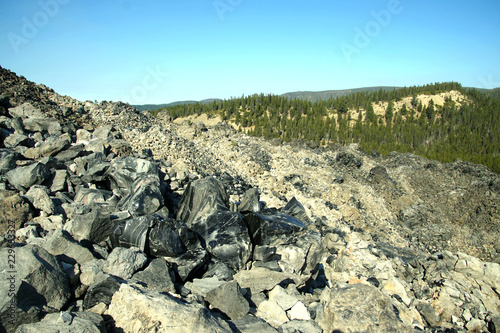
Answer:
[(154, 51)]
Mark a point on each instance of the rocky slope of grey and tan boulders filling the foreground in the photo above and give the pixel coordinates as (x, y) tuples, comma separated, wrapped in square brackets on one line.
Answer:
[(203, 228)]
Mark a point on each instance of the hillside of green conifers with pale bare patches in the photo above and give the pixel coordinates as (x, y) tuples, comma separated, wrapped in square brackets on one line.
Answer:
[(441, 121)]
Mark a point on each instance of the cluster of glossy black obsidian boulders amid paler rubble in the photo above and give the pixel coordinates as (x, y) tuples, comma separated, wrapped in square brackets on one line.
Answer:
[(206, 230)]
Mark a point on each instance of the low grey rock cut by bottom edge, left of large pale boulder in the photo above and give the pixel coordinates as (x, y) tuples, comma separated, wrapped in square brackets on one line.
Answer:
[(78, 322)]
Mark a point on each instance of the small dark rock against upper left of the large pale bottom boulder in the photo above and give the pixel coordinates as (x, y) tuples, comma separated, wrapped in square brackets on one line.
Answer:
[(101, 291)]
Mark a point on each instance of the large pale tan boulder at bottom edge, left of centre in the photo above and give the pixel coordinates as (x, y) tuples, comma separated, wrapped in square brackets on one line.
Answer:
[(161, 312)]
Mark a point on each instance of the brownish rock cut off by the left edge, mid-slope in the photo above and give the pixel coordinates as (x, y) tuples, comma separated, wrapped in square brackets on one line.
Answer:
[(14, 212)]
